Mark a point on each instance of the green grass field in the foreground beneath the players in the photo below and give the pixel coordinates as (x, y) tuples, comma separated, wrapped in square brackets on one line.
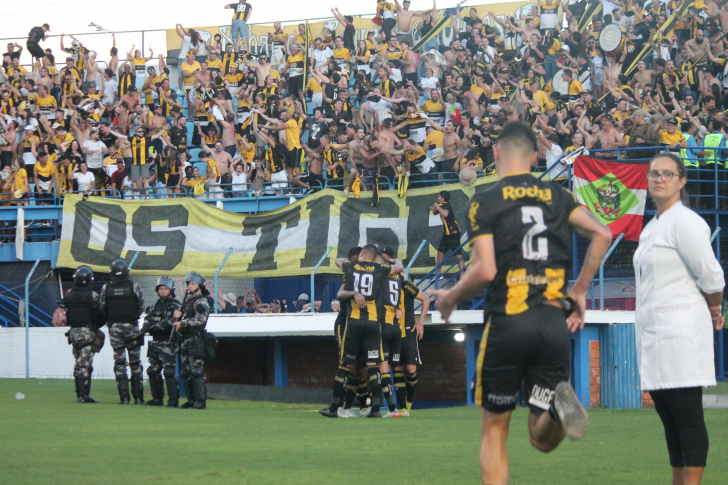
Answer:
[(48, 438)]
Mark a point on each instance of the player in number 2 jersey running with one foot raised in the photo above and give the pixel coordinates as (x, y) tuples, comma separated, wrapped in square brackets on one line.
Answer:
[(520, 232)]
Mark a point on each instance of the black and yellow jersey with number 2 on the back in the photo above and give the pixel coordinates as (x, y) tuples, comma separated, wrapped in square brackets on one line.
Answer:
[(528, 219)]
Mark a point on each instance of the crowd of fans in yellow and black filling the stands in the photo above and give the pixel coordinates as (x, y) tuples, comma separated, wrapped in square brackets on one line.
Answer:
[(378, 109)]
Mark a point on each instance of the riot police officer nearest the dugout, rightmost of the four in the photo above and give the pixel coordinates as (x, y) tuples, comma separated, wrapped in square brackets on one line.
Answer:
[(193, 318)]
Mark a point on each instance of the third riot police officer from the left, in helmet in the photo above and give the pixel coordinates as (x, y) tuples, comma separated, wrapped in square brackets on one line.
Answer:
[(162, 350)]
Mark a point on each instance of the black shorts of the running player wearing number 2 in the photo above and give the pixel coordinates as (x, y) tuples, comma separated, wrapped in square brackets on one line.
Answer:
[(531, 348)]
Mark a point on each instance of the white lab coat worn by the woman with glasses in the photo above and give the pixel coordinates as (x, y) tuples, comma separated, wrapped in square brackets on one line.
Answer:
[(673, 264)]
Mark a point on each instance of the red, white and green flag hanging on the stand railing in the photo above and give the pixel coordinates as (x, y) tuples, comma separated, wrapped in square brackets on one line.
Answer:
[(615, 192)]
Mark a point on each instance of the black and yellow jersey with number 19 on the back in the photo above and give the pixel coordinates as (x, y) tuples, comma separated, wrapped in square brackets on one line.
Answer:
[(366, 278)]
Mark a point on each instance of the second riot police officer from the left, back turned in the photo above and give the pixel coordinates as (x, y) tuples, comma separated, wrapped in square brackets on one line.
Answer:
[(122, 302)]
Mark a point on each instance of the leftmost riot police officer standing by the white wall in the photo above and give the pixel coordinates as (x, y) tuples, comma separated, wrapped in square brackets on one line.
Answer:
[(82, 315)]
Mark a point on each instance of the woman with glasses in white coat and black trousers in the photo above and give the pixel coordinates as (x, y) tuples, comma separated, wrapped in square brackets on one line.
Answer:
[(679, 293)]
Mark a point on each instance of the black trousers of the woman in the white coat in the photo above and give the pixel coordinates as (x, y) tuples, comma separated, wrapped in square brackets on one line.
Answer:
[(681, 412)]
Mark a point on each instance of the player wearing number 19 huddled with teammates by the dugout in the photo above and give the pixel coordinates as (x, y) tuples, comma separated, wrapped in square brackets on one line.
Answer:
[(362, 334)]
